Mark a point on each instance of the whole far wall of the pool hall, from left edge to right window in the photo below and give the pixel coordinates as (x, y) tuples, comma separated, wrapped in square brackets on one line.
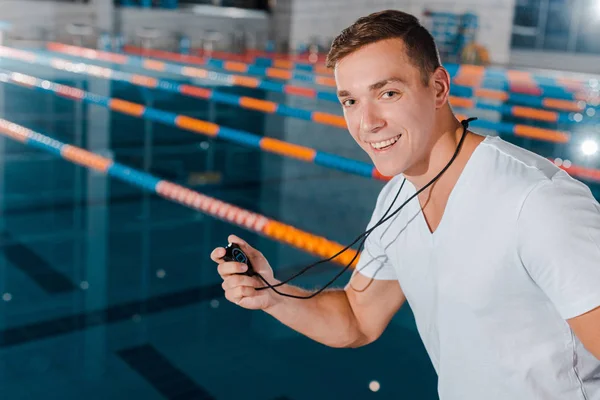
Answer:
[(293, 21)]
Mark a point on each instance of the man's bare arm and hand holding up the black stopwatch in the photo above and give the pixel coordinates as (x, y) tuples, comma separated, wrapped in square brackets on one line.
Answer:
[(350, 317)]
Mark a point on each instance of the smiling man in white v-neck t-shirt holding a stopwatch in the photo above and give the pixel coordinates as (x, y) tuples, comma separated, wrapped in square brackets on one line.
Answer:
[(499, 259)]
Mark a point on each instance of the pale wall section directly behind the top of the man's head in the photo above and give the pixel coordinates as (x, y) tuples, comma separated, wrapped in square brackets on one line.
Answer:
[(315, 18)]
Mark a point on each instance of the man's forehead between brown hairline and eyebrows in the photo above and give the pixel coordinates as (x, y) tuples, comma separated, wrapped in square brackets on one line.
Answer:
[(372, 63)]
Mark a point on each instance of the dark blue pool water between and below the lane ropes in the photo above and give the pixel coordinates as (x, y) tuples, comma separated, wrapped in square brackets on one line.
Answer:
[(108, 292)]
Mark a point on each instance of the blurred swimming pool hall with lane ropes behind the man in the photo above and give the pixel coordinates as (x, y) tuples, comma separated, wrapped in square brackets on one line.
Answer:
[(137, 135)]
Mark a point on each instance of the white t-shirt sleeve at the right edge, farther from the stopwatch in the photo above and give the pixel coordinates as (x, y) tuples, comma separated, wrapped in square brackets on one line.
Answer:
[(559, 243)]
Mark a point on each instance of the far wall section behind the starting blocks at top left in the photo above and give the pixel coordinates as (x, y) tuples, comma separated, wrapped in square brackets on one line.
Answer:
[(35, 20)]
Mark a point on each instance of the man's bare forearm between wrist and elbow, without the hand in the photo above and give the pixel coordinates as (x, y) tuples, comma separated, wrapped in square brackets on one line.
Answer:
[(326, 318)]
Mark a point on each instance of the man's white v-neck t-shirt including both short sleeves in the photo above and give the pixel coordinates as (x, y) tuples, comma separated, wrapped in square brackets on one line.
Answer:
[(516, 254)]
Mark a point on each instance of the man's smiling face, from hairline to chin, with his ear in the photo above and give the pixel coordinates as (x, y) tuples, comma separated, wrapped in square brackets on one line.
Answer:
[(388, 109)]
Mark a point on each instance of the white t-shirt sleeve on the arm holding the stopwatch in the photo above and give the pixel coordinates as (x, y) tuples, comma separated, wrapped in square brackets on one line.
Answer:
[(374, 262)]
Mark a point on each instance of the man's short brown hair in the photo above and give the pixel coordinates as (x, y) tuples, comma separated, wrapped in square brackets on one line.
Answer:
[(389, 24)]
